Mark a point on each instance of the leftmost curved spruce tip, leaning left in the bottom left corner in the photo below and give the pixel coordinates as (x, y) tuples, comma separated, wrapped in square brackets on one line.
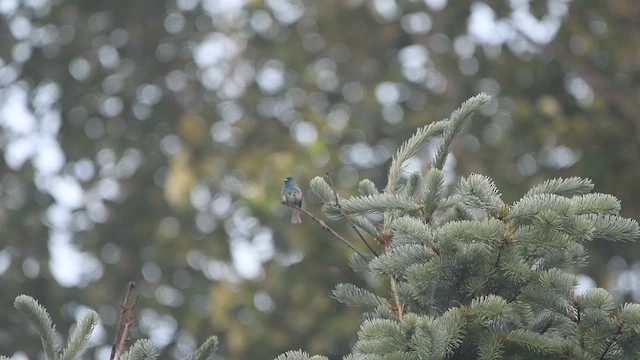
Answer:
[(41, 319)]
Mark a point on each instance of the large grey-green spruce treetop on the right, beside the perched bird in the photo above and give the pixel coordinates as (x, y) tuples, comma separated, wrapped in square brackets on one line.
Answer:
[(473, 277)]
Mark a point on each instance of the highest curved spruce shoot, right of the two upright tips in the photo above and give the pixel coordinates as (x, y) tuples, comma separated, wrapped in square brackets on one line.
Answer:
[(456, 122)]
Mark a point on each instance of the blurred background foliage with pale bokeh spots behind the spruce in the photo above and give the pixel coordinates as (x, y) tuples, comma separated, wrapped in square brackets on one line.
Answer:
[(147, 141)]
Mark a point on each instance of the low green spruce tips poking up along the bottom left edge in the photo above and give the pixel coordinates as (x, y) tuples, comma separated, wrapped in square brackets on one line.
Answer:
[(141, 349)]
